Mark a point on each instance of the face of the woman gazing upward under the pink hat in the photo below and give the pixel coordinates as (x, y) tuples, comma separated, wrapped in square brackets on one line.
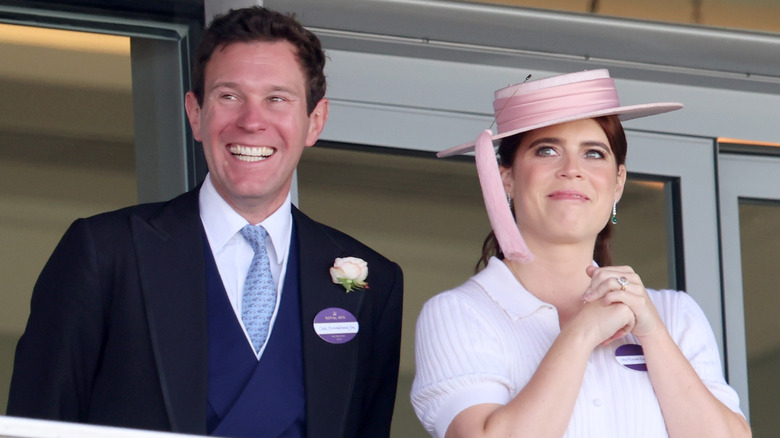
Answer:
[(563, 181)]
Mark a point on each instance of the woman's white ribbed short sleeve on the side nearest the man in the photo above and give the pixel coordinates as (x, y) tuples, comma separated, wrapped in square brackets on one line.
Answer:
[(459, 360)]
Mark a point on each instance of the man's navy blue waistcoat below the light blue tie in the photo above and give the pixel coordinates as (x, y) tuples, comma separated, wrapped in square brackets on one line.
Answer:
[(247, 397)]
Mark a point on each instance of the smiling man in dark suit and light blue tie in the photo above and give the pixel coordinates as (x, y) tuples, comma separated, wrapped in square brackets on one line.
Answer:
[(138, 318)]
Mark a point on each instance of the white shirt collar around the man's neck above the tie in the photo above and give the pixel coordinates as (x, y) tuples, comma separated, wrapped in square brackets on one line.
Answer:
[(222, 223)]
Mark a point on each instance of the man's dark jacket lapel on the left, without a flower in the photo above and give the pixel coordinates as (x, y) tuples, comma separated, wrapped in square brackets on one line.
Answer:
[(171, 271)]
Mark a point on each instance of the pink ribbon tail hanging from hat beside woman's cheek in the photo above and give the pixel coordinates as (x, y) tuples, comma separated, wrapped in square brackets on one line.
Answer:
[(504, 226)]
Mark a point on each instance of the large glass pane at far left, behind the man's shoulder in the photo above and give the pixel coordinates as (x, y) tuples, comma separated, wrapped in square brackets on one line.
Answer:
[(66, 151)]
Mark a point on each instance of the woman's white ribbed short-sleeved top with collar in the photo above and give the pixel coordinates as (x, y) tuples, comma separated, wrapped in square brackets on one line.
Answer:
[(482, 341)]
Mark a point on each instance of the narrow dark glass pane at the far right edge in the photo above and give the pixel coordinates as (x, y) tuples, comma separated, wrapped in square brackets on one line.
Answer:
[(759, 224)]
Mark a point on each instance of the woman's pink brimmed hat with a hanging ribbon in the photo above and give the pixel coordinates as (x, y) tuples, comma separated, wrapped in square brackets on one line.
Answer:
[(532, 105)]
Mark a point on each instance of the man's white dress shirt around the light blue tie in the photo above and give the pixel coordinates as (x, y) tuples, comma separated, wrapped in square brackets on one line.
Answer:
[(232, 252)]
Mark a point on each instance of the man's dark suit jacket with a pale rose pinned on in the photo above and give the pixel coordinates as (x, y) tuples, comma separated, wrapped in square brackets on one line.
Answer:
[(117, 333)]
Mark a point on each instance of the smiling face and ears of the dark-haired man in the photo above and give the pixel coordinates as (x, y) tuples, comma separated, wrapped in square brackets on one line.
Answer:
[(253, 123)]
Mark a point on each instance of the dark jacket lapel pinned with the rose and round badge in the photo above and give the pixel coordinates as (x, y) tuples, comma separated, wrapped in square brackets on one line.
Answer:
[(330, 369)]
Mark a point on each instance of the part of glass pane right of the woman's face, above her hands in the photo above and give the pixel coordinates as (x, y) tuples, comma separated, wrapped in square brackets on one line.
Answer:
[(642, 238)]
